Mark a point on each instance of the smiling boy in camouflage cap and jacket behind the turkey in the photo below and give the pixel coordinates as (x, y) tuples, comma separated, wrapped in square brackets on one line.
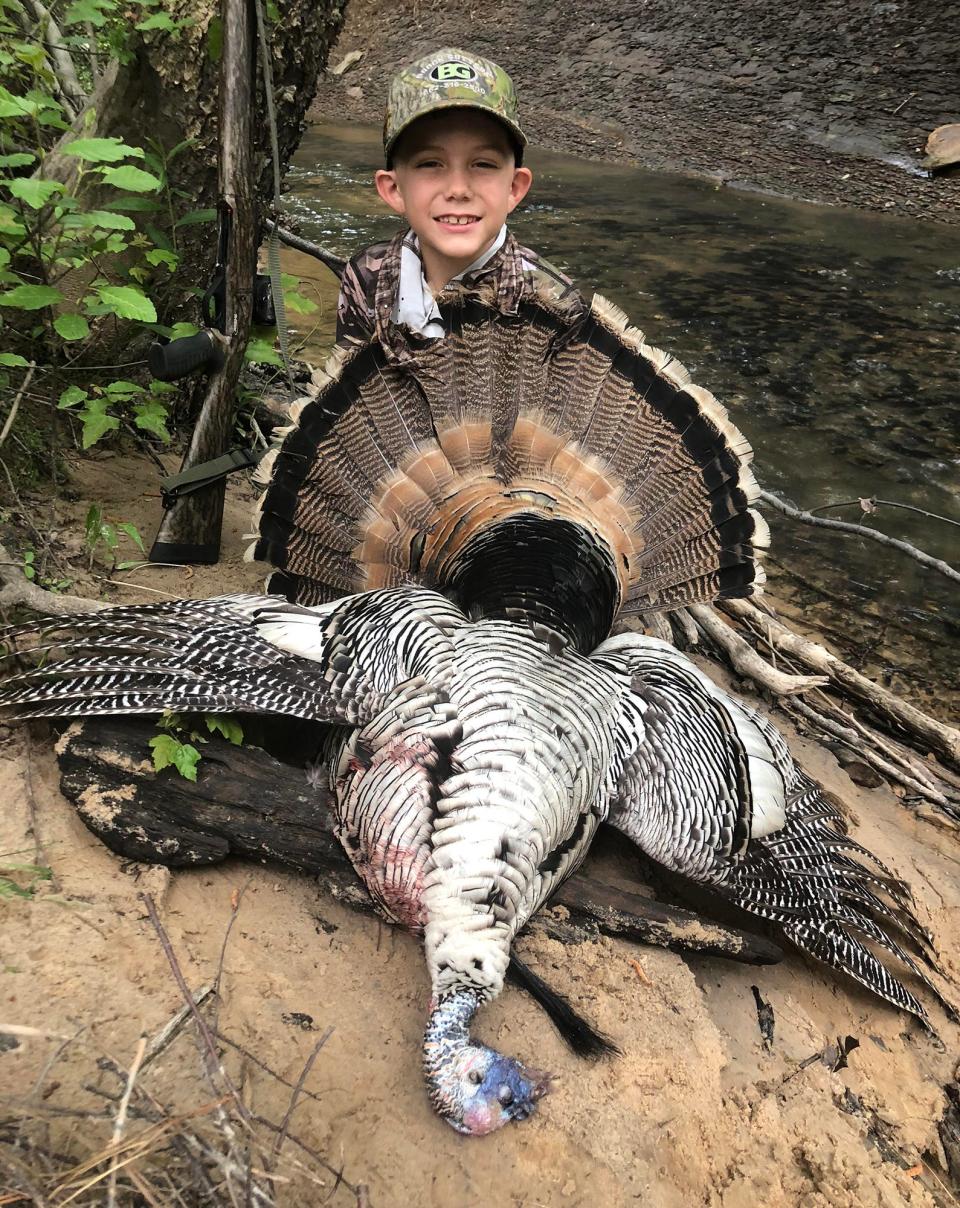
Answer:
[(455, 171)]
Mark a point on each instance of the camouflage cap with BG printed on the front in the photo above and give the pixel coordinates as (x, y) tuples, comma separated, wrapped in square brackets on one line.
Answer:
[(450, 79)]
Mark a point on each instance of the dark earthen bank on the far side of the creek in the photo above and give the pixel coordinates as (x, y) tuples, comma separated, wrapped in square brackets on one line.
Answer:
[(829, 103)]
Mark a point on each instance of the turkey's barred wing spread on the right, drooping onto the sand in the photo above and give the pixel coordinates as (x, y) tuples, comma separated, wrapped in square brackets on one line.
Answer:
[(700, 768)]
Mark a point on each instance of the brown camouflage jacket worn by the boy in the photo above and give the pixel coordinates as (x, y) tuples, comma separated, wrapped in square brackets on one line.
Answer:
[(370, 283)]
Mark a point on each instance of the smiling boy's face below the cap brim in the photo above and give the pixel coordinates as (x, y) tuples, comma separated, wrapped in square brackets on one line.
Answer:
[(455, 181)]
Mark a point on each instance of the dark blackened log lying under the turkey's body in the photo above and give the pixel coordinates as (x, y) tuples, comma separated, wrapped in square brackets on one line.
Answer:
[(248, 804)]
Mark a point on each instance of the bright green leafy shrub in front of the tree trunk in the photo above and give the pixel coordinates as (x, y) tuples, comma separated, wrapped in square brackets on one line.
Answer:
[(110, 231)]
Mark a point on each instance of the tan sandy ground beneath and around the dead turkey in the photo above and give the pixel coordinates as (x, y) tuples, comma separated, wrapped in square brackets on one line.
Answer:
[(696, 1112)]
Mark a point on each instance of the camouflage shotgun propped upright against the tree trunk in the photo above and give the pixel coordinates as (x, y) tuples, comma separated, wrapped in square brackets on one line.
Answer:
[(194, 500)]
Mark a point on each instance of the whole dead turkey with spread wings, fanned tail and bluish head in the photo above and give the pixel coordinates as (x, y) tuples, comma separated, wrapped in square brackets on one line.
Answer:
[(488, 512)]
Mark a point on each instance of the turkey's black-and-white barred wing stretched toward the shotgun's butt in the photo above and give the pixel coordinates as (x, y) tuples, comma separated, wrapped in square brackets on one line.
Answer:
[(232, 654)]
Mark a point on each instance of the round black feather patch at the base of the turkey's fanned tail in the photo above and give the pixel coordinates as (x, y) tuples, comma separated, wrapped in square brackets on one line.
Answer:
[(542, 570)]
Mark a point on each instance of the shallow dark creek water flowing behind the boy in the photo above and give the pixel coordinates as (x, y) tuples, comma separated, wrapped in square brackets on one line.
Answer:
[(830, 335)]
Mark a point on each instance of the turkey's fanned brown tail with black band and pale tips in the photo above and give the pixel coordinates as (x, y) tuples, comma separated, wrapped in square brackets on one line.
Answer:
[(427, 472)]
